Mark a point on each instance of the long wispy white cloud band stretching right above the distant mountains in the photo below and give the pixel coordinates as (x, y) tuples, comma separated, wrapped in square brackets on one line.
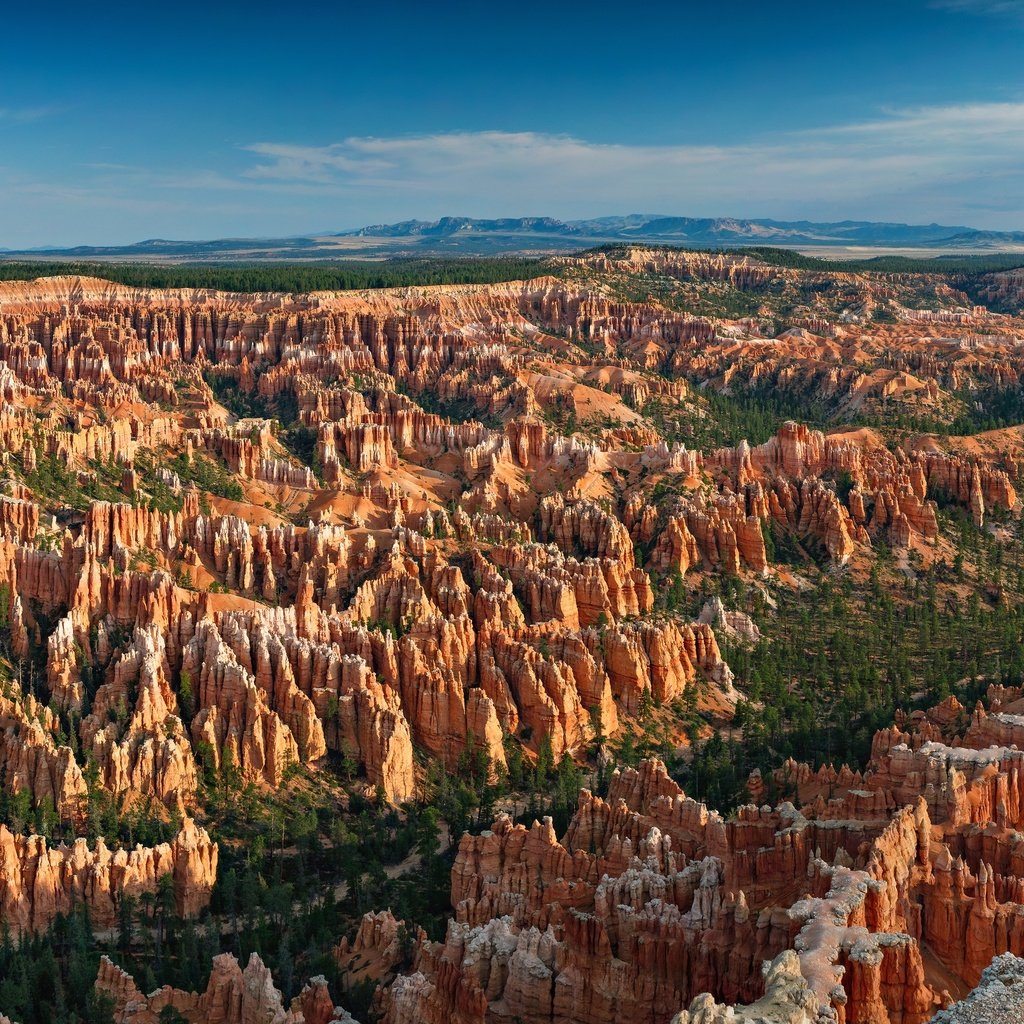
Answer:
[(930, 163)]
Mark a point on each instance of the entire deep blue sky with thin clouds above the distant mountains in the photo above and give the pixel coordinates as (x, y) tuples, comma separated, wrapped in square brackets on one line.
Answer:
[(198, 121)]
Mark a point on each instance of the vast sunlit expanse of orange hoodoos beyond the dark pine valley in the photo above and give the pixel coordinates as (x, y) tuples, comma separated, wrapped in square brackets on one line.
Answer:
[(565, 534)]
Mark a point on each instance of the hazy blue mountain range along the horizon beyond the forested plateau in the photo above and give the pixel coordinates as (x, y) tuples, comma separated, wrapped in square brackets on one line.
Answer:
[(468, 237)]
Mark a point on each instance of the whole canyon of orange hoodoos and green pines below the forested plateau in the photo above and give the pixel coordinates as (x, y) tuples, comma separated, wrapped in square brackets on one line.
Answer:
[(638, 643)]
